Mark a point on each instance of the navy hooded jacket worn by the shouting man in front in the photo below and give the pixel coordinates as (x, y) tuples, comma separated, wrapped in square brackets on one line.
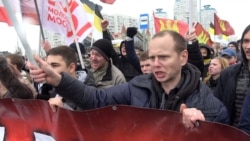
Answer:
[(141, 92)]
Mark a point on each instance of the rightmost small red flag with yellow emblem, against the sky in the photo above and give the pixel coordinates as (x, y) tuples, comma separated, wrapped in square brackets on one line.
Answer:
[(222, 27)]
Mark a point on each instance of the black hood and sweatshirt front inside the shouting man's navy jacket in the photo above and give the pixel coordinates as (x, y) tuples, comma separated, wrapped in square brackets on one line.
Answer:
[(190, 77)]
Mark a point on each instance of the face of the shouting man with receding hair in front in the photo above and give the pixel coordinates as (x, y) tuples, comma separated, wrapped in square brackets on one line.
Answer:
[(166, 63)]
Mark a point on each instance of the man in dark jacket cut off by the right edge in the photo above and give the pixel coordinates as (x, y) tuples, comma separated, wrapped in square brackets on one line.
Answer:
[(234, 82)]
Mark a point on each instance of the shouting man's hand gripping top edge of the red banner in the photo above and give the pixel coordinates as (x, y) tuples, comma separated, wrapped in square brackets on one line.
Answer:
[(191, 116)]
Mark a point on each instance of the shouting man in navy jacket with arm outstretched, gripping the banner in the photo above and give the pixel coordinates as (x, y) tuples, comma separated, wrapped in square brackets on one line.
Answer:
[(173, 85)]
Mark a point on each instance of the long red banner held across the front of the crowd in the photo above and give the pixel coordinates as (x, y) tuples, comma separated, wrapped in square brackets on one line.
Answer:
[(29, 120)]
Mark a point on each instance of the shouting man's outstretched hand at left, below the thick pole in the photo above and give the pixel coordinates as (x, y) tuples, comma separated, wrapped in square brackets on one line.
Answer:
[(44, 73)]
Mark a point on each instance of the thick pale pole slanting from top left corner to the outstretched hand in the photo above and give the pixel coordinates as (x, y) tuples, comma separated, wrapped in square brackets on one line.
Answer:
[(20, 32)]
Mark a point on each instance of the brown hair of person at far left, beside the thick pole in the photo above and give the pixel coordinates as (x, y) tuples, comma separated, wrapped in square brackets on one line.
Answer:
[(17, 60)]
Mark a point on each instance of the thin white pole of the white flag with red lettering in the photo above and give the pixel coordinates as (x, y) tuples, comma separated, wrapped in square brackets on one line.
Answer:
[(74, 35)]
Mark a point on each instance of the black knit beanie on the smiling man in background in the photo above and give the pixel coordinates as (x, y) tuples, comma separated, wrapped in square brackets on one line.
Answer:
[(104, 47)]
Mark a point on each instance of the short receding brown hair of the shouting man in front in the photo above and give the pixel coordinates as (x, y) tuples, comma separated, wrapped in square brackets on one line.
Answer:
[(180, 42)]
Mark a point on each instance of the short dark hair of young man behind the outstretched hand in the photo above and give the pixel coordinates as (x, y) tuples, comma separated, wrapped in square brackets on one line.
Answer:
[(67, 53)]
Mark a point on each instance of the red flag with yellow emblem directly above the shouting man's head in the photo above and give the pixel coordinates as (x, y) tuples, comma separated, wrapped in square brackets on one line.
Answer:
[(167, 24)]
